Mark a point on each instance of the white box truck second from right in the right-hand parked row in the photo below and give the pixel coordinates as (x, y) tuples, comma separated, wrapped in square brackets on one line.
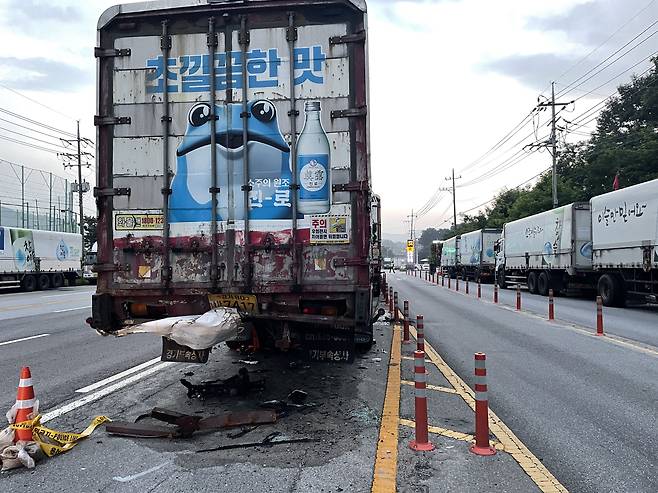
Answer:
[(549, 250)]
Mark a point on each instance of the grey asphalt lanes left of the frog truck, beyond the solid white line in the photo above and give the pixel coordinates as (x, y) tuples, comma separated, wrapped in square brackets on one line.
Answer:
[(46, 331)]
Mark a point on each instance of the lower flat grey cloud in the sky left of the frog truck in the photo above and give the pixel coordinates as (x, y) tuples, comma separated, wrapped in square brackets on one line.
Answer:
[(42, 74)]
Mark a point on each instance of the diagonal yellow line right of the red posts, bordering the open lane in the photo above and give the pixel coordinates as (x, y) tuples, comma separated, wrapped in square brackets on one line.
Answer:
[(532, 466)]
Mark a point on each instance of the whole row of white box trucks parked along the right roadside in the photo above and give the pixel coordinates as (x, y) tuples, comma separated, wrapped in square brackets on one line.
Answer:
[(608, 244)]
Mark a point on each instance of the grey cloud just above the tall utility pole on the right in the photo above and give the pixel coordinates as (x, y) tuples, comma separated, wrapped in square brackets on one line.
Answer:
[(534, 71)]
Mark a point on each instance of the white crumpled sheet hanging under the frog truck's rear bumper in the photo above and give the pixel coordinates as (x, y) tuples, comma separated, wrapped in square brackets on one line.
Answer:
[(194, 331)]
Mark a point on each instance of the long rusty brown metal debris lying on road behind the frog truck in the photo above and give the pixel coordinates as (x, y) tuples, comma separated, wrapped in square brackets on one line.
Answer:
[(185, 424)]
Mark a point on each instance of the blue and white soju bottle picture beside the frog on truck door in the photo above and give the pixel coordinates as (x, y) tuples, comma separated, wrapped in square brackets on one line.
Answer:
[(313, 164)]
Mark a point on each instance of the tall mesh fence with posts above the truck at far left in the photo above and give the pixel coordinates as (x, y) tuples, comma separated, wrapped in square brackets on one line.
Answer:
[(36, 199)]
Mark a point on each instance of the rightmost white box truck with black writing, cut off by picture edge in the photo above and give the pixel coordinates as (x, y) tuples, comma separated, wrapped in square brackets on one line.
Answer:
[(624, 239)]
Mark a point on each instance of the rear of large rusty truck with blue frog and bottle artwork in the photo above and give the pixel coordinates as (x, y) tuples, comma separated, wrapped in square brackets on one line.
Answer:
[(233, 167)]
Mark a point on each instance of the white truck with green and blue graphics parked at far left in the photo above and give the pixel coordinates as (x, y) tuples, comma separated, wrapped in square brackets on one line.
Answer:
[(32, 259)]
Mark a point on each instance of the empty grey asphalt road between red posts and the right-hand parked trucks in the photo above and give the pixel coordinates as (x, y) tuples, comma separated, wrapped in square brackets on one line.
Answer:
[(585, 405)]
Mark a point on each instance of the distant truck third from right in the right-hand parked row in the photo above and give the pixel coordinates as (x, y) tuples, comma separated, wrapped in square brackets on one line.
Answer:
[(477, 259)]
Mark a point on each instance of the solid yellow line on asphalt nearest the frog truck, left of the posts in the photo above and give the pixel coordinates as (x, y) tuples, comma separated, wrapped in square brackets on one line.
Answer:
[(386, 461)]
